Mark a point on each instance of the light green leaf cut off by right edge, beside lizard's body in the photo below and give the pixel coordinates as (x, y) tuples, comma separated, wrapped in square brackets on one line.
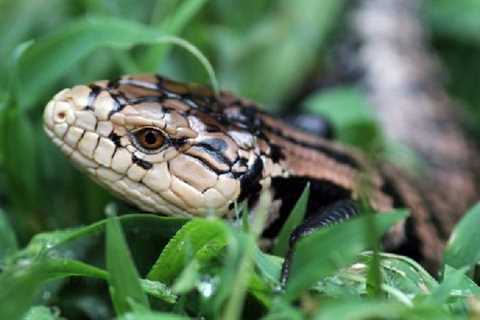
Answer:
[(462, 247)]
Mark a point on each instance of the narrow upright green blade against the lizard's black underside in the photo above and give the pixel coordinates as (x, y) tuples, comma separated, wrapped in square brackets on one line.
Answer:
[(293, 220)]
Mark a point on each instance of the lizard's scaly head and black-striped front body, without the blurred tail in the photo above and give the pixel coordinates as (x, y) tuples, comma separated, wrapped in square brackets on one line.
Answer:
[(180, 149)]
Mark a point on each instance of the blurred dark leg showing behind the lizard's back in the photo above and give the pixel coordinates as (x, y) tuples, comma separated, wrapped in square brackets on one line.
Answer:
[(313, 124)]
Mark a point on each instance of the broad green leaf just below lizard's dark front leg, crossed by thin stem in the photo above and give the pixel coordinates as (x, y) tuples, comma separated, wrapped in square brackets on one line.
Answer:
[(327, 250)]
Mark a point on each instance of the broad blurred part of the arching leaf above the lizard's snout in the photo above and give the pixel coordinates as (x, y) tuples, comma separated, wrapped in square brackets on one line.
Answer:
[(60, 51)]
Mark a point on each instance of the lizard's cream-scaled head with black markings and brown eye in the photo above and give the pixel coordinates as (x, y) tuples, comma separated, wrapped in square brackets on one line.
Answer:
[(157, 144)]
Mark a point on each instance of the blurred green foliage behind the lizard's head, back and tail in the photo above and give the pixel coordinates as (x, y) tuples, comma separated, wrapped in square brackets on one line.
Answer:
[(280, 53)]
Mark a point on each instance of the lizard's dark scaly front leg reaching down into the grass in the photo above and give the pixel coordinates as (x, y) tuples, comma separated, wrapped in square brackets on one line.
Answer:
[(340, 211)]
